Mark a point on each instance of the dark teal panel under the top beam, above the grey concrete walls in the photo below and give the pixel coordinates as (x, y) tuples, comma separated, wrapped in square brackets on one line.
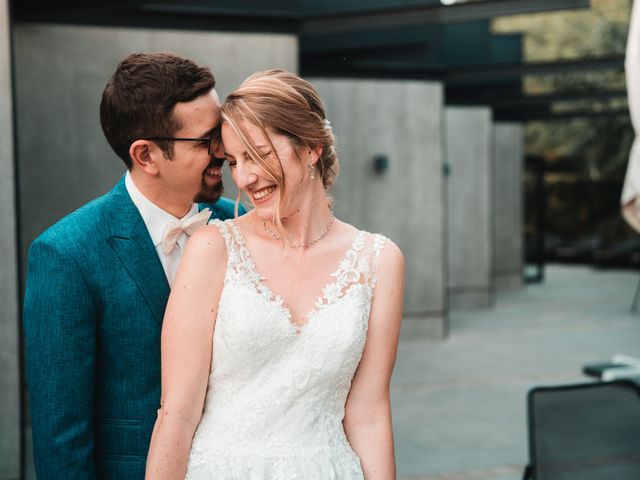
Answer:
[(416, 52)]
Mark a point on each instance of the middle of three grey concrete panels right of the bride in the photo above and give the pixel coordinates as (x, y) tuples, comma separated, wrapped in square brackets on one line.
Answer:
[(469, 207)]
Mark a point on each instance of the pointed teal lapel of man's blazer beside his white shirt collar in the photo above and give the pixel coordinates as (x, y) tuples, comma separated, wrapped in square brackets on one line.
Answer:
[(134, 248)]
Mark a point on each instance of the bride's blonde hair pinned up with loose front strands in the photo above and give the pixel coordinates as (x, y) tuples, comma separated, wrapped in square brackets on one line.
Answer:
[(286, 104)]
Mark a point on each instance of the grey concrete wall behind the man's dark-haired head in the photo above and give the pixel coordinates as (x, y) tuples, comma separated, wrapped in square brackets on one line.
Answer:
[(61, 71)]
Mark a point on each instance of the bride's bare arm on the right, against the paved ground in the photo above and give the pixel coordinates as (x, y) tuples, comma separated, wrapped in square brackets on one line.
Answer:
[(367, 420)]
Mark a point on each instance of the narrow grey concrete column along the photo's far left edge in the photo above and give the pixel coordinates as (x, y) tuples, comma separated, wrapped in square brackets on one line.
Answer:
[(9, 351)]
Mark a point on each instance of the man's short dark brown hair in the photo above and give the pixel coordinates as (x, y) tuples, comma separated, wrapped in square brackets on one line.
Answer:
[(139, 98)]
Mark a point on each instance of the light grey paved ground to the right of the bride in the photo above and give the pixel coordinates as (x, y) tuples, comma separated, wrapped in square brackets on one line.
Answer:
[(459, 405)]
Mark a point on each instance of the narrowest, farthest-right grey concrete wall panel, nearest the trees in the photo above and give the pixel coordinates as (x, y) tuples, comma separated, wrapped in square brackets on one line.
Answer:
[(508, 205)]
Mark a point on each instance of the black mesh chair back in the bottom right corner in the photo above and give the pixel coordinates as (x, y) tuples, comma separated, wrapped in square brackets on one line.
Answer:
[(587, 431)]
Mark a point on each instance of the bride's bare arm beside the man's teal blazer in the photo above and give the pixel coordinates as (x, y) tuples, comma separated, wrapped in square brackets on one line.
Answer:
[(187, 332)]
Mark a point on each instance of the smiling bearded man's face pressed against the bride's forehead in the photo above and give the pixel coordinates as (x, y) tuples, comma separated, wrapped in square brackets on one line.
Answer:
[(192, 171)]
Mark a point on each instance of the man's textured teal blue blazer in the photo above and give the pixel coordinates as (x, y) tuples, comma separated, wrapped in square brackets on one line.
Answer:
[(95, 298)]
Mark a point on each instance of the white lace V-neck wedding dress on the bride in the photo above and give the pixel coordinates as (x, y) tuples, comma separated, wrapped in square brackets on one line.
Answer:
[(276, 395)]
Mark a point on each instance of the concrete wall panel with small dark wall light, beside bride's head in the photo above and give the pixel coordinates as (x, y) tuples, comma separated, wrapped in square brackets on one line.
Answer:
[(402, 120)]
